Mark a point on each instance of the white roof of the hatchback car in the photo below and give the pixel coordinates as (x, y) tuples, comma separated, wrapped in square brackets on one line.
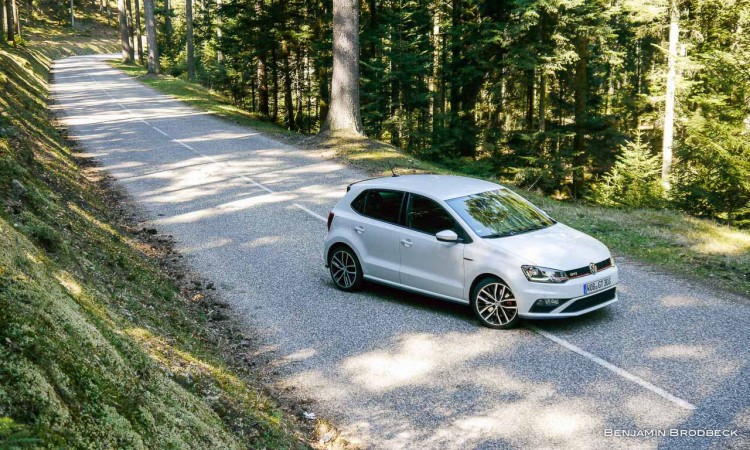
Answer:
[(443, 187)]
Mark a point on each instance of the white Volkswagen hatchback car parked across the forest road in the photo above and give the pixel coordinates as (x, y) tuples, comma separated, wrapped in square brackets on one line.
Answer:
[(468, 241)]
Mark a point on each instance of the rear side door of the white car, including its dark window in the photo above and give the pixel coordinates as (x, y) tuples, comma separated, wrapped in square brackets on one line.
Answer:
[(375, 232)]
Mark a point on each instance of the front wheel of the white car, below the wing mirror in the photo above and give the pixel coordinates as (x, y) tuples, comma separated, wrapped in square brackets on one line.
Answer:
[(485, 299)]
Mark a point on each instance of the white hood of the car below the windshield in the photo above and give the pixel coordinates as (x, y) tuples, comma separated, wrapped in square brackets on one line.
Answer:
[(557, 247)]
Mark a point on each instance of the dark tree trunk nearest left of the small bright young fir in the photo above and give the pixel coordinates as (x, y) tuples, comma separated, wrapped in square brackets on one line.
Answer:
[(579, 140)]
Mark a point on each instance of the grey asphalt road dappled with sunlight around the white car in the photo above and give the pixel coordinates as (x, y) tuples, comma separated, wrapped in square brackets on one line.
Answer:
[(396, 370)]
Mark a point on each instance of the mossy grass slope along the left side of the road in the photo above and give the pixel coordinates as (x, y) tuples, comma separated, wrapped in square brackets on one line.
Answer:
[(99, 348)]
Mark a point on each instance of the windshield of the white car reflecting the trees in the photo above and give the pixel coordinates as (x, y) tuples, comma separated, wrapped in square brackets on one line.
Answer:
[(499, 213)]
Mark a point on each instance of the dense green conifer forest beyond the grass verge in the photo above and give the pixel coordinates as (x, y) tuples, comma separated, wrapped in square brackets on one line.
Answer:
[(628, 103)]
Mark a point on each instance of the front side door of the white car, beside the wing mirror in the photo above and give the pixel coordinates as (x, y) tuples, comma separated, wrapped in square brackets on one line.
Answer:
[(427, 263)]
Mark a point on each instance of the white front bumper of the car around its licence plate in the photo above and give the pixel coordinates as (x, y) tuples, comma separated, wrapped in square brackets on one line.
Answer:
[(572, 302)]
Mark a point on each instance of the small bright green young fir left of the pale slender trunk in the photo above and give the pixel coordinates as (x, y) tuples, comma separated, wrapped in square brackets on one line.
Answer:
[(634, 179)]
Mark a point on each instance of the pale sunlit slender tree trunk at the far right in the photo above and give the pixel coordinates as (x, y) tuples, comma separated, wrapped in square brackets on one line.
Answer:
[(674, 34)]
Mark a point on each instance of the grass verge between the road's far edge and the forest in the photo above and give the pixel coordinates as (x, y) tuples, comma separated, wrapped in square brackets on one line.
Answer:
[(700, 249)]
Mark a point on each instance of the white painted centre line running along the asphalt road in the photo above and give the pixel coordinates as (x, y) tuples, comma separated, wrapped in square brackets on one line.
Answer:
[(560, 341)]
